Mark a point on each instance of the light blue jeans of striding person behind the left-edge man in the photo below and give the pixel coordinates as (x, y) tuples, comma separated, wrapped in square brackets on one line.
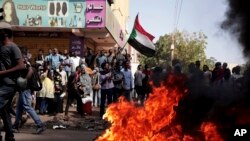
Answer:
[(24, 103)]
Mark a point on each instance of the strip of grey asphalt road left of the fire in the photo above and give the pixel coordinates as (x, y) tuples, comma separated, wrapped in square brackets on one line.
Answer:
[(56, 135)]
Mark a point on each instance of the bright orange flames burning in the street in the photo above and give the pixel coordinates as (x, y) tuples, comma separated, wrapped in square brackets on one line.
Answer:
[(152, 122)]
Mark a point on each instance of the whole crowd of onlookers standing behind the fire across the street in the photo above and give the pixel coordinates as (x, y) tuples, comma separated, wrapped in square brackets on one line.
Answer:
[(103, 77)]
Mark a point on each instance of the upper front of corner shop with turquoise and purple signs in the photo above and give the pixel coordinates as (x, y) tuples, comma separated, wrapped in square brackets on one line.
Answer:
[(64, 24)]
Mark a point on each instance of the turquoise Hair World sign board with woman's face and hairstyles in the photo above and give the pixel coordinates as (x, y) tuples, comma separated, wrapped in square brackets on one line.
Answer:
[(44, 13)]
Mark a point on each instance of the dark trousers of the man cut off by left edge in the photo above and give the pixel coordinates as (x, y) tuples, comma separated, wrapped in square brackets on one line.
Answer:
[(6, 95)]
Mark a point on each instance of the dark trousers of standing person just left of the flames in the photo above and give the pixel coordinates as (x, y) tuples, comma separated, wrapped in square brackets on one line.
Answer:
[(105, 93)]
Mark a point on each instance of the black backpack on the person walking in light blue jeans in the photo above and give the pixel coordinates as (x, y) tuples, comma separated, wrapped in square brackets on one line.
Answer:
[(34, 82)]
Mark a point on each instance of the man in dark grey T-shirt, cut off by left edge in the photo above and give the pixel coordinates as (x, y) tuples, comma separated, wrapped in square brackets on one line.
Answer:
[(10, 63)]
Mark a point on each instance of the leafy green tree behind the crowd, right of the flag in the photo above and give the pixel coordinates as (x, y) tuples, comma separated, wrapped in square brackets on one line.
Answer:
[(188, 48)]
